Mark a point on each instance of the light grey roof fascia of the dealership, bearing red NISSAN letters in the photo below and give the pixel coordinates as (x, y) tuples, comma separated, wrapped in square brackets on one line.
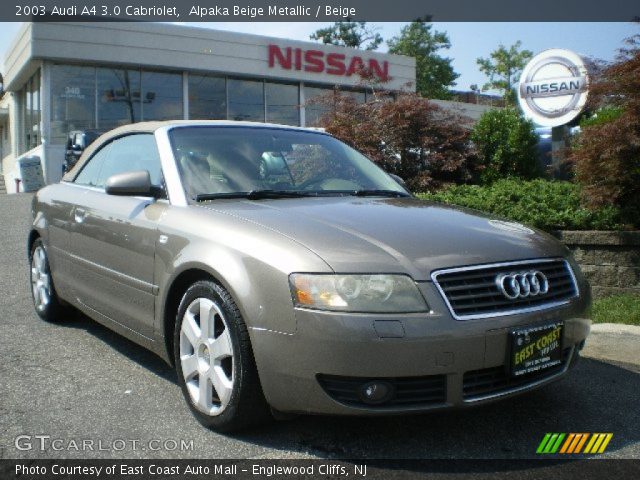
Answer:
[(180, 48)]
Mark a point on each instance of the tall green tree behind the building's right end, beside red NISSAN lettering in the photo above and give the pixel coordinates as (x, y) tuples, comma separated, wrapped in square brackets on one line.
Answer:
[(434, 74)]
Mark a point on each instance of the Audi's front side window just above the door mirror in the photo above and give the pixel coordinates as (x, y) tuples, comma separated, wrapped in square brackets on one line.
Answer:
[(133, 152)]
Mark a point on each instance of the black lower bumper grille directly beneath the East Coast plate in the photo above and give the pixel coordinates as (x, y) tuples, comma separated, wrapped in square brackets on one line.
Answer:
[(493, 381)]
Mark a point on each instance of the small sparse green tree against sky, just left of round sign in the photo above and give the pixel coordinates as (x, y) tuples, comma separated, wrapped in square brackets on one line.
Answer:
[(504, 69)]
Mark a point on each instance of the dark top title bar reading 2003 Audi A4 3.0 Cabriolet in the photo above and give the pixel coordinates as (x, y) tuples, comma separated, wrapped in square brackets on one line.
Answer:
[(321, 10)]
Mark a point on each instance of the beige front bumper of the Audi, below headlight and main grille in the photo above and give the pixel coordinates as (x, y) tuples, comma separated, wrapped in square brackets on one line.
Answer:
[(433, 360)]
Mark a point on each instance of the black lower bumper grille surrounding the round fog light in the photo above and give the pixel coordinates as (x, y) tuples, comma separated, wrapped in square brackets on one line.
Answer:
[(409, 391)]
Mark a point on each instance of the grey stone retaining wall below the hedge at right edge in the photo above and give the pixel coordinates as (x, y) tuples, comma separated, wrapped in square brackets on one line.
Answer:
[(609, 260)]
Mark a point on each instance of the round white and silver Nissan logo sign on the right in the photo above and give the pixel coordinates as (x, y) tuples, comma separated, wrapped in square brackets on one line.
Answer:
[(553, 87)]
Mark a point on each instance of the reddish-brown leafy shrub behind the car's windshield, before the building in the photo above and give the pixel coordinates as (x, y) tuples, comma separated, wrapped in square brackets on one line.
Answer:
[(410, 137)]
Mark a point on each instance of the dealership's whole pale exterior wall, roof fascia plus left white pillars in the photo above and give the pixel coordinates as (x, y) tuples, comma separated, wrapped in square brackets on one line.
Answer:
[(155, 46)]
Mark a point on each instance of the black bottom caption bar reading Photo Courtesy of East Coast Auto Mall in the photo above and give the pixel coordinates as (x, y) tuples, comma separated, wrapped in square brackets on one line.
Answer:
[(32, 469)]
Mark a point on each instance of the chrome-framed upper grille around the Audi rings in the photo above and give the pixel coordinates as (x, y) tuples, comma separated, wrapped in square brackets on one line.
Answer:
[(472, 292)]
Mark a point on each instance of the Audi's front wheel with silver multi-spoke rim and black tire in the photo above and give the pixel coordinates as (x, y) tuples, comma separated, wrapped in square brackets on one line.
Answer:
[(230, 398)]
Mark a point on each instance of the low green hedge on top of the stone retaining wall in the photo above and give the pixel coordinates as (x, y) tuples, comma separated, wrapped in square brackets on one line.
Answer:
[(549, 205)]
